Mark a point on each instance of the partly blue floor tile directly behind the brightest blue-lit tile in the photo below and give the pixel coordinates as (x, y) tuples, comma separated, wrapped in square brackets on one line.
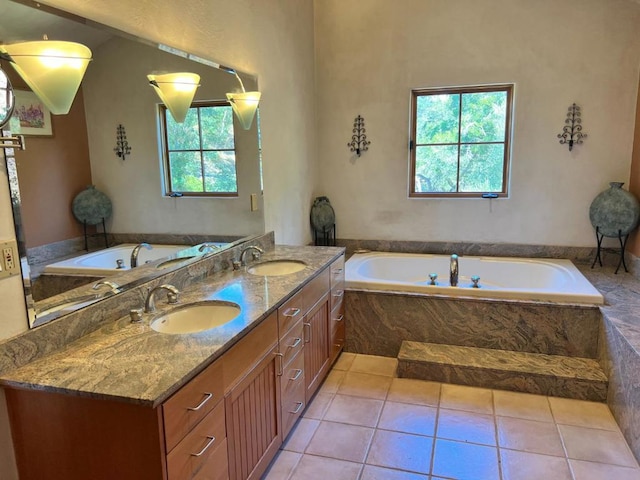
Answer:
[(466, 427)]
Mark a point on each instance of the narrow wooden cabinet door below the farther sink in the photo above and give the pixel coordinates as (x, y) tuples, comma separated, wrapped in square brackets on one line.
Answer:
[(316, 349)]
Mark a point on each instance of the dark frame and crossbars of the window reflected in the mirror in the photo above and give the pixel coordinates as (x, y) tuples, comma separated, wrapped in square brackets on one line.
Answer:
[(166, 164)]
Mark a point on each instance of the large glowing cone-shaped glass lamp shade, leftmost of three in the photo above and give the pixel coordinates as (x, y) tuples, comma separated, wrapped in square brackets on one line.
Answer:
[(52, 69)]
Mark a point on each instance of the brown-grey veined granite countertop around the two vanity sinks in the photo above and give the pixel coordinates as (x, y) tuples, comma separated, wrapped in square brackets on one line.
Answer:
[(131, 362)]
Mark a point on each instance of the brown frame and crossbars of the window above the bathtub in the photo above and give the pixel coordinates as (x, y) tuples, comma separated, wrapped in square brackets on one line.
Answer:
[(508, 88)]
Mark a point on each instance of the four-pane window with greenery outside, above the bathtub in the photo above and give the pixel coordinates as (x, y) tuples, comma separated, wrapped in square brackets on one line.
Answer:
[(460, 141)]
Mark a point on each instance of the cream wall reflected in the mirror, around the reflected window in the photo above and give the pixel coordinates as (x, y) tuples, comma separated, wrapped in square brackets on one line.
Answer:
[(116, 91)]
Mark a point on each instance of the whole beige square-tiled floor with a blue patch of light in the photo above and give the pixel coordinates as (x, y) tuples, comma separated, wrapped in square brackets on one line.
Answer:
[(365, 424)]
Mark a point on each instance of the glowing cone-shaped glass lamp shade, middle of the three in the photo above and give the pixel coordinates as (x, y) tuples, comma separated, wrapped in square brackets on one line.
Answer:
[(176, 90)]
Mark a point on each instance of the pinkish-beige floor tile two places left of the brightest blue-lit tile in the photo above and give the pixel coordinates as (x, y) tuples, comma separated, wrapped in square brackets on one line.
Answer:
[(341, 441)]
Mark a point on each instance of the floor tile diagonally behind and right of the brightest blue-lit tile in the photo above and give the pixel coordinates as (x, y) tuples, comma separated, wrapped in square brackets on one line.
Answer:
[(529, 436)]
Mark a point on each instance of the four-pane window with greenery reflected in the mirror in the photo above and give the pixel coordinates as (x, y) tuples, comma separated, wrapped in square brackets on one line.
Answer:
[(199, 154)]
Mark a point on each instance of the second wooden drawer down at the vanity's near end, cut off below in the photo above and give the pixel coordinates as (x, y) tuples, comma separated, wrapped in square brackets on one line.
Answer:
[(203, 448)]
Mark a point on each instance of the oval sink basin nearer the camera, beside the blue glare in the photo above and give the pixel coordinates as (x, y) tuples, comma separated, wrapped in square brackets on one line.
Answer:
[(196, 318)]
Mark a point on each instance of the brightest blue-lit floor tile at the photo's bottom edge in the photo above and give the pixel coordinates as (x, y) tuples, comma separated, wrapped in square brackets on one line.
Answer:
[(465, 461)]
